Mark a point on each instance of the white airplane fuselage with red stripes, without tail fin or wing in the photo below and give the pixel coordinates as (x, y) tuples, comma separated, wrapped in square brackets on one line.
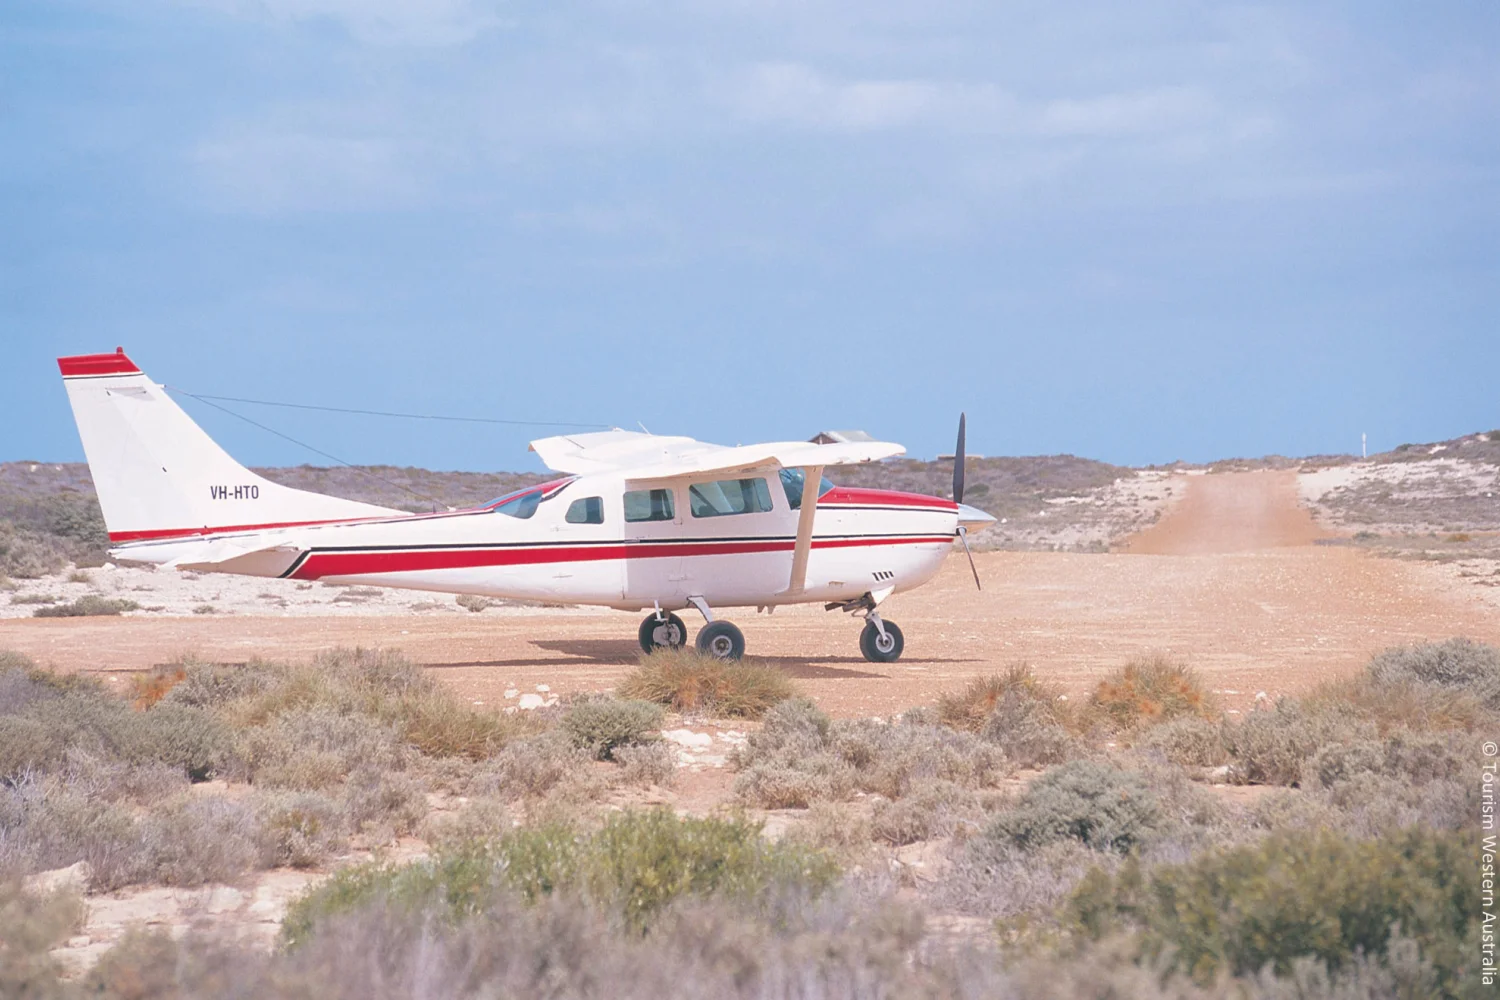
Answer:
[(863, 542)]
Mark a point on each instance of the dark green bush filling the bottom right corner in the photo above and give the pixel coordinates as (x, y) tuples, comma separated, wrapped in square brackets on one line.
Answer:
[(1292, 896)]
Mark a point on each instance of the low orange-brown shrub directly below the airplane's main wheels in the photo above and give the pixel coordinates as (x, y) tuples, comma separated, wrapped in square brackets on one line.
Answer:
[(688, 681)]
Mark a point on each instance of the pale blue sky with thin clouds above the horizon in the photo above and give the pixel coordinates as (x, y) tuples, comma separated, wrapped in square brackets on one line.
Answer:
[(1136, 233)]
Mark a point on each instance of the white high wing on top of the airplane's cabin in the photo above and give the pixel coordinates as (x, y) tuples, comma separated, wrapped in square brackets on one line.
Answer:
[(644, 457)]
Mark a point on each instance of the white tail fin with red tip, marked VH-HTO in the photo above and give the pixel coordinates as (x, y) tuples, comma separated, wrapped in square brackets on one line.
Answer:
[(160, 476)]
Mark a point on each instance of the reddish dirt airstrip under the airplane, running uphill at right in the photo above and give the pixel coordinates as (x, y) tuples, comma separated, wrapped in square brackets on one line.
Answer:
[(1229, 581)]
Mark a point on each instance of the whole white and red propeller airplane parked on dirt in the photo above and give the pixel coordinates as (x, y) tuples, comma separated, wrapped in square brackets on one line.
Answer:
[(635, 522)]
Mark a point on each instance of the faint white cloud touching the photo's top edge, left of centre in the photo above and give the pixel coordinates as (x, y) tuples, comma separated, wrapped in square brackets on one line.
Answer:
[(428, 23)]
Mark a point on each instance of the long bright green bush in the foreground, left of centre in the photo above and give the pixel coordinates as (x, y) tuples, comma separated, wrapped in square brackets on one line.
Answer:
[(637, 864)]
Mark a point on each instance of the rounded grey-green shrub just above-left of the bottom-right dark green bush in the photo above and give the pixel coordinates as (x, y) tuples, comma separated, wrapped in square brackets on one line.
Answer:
[(1103, 807)]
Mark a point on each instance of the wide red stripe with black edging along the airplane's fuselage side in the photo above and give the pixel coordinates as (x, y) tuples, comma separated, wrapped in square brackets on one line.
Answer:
[(322, 564)]
